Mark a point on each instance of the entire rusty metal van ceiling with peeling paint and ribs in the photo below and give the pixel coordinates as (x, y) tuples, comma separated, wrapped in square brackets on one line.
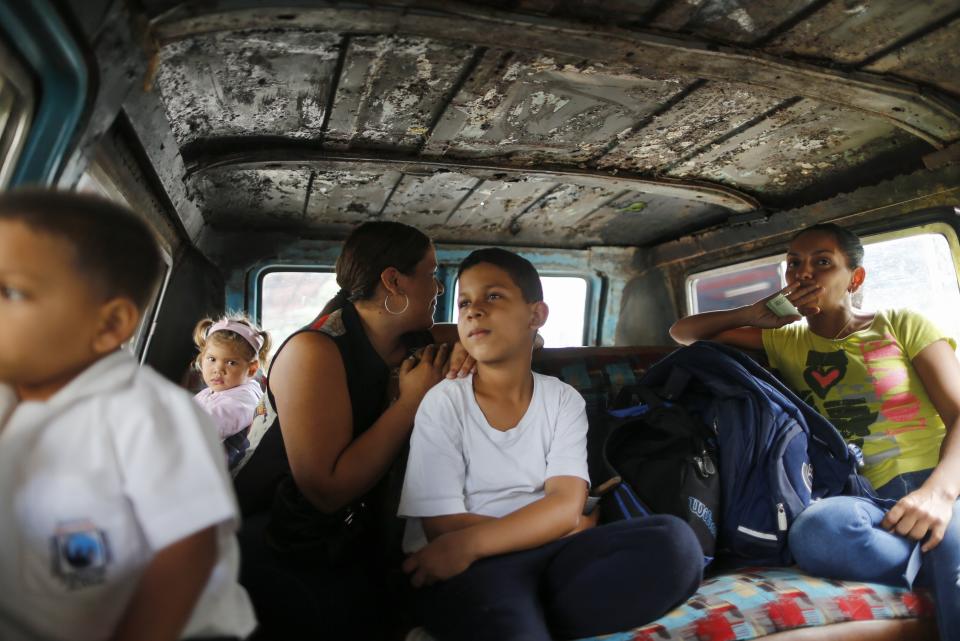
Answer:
[(548, 122)]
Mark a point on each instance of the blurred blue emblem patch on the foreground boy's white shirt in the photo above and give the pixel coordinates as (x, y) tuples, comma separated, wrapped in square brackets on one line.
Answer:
[(81, 552)]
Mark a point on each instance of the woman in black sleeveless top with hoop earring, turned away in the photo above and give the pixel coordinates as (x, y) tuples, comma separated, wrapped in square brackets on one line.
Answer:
[(318, 533)]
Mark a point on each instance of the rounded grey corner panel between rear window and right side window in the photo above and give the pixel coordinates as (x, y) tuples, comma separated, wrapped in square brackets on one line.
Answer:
[(646, 310)]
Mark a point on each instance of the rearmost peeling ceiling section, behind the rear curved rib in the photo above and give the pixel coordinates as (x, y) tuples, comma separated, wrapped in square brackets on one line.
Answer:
[(556, 214)]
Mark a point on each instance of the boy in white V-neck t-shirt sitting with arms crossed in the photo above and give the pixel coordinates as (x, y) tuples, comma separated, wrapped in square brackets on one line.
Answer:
[(496, 484)]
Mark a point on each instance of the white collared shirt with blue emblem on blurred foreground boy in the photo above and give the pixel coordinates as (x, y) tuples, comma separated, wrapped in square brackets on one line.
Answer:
[(94, 481)]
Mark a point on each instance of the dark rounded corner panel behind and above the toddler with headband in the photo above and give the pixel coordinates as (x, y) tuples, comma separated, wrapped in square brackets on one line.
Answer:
[(195, 290)]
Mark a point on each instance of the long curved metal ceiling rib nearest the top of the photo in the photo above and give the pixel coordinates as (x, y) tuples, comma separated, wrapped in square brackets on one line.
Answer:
[(932, 118)]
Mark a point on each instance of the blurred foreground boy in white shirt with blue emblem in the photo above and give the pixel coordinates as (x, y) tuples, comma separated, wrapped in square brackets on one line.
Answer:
[(118, 513)]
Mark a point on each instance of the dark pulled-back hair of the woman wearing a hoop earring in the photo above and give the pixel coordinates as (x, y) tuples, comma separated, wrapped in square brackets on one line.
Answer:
[(369, 249)]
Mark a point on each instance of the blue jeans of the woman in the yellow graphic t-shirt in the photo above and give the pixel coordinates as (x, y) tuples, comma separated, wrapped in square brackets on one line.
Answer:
[(841, 538)]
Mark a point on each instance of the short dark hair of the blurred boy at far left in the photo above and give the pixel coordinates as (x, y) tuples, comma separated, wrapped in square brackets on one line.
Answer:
[(113, 249)]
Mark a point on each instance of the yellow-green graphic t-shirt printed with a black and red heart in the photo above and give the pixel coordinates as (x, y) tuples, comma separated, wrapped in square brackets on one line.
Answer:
[(866, 385)]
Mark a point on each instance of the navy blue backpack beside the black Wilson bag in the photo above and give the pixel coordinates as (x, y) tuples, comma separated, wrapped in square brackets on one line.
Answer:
[(776, 453)]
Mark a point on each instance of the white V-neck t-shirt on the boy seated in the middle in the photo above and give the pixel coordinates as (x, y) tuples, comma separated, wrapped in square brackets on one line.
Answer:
[(459, 463)]
